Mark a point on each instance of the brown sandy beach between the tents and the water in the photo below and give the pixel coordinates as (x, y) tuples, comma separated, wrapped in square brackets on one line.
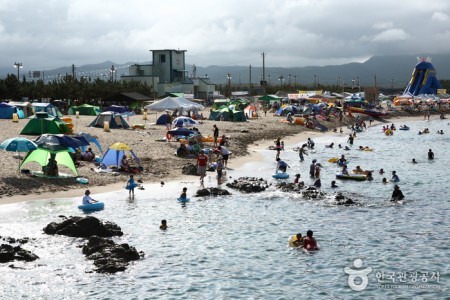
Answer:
[(157, 158)]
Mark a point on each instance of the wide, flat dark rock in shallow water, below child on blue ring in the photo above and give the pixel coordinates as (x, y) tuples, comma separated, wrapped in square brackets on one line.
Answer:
[(83, 227)]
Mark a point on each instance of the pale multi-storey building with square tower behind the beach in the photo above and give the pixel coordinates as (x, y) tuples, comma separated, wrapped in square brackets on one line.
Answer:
[(168, 74)]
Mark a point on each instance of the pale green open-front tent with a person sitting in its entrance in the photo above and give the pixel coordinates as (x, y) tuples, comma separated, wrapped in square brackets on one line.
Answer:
[(41, 156)]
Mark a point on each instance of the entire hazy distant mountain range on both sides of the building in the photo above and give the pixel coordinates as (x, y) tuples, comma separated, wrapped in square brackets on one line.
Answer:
[(388, 70)]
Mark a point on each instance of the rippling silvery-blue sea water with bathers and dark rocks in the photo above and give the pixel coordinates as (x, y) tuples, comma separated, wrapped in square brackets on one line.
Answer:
[(236, 246)]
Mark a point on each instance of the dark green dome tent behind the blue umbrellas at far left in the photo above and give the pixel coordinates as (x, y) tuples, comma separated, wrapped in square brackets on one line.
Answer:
[(40, 124)]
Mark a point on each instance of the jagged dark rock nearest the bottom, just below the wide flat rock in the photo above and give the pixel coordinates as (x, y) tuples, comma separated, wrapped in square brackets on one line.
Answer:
[(108, 256)]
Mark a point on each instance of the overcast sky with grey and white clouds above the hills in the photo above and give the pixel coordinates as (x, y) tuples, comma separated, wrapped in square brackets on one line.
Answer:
[(53, 33)]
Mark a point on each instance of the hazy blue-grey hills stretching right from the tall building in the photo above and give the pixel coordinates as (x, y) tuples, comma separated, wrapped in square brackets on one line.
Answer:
[(399, 68)]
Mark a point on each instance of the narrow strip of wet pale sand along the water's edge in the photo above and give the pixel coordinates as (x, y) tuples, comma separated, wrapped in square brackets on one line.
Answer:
[(238, 162)]
